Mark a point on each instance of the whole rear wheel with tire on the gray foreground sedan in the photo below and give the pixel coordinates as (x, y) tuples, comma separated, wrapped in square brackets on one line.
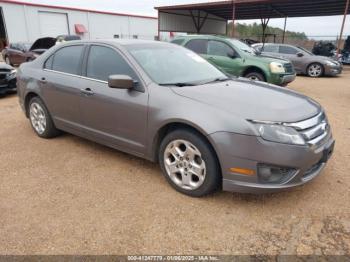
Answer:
[(41, 120)]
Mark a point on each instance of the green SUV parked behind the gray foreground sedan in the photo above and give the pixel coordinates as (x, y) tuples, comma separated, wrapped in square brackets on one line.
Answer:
[(236, 58)]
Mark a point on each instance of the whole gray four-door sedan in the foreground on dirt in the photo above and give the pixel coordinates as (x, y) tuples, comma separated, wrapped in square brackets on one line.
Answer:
[(165, 103)]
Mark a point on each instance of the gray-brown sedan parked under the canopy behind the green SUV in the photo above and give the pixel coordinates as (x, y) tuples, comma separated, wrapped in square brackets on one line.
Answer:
[(303, 60)]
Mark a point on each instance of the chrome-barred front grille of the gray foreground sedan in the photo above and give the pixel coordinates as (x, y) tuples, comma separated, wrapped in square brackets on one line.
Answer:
[(314, 130)]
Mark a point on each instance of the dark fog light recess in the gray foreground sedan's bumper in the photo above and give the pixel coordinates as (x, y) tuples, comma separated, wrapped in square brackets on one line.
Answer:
[(274, 174)]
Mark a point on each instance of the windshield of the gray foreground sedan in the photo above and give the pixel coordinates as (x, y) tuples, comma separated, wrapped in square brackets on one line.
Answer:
[(170, 64)]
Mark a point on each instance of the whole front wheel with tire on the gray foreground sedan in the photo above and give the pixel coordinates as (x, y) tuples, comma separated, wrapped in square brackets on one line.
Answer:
[(189, 163)]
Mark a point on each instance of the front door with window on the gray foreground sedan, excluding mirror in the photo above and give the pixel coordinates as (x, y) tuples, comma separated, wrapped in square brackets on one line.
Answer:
[(116, 116)]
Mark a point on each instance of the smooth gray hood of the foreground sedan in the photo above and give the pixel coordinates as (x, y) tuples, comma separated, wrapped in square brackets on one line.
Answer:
[(253, 101)]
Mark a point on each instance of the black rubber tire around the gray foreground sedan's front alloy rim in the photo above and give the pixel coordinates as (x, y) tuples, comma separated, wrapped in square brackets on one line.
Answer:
[(212, 180)]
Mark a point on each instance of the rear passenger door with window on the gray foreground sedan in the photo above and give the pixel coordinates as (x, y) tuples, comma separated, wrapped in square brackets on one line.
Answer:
[(61, 85)]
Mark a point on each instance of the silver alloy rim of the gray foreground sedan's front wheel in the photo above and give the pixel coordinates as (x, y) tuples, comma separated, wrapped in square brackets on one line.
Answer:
[(184, 164)]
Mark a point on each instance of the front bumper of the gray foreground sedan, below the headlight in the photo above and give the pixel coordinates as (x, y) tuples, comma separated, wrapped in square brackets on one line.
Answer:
[(242, 151)]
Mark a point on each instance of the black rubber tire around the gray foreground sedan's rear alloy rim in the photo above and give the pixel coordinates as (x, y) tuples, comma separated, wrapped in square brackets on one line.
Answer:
[(50, 130)]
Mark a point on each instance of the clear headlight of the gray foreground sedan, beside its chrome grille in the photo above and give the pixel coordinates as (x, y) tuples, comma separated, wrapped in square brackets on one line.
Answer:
[(279, 133)]
